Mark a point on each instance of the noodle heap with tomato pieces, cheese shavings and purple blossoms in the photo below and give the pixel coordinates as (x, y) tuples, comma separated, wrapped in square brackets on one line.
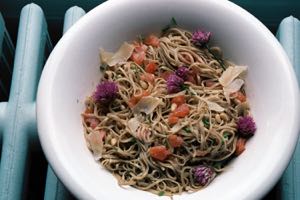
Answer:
[(168, 114)]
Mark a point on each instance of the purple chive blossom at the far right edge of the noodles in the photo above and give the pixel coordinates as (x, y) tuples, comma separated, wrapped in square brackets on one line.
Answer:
[(246, 126)]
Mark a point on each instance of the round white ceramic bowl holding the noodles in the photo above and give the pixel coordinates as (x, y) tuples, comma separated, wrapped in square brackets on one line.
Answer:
[(72, 71)]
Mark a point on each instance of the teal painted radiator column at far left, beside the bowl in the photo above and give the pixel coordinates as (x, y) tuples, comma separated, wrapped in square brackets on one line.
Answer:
[(19, 112)]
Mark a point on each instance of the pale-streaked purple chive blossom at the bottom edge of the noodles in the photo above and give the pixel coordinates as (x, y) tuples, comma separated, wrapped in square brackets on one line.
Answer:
[(204, 174)]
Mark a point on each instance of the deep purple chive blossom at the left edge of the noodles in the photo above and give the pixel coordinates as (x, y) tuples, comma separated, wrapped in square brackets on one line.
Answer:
[(106, 92)]
